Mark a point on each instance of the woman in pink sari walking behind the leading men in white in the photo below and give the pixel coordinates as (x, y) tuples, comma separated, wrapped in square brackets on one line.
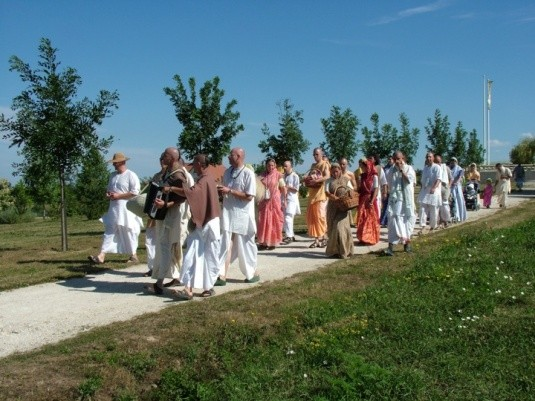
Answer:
[(270, 217)]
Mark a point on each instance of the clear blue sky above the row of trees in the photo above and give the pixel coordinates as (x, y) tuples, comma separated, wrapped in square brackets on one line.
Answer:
[(387, 57)]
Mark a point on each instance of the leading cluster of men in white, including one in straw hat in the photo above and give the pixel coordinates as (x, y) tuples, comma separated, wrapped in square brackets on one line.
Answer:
[(197, 239)]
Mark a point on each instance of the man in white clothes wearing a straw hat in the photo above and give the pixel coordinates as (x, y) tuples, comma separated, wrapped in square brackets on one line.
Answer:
[(122, 227)]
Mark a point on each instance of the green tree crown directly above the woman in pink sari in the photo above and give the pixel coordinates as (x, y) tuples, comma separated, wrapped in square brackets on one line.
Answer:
[(289, 143)]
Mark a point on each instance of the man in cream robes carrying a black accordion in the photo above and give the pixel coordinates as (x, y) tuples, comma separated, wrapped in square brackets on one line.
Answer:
[(171, 231)]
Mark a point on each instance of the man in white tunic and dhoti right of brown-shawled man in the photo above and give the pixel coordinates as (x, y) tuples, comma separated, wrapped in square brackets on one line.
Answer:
[(238, 219)]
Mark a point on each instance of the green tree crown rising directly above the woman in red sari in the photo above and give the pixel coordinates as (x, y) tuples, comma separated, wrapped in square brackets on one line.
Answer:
[(380, 140)]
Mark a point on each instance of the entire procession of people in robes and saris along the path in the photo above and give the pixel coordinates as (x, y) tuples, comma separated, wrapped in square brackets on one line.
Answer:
[(206, 225)]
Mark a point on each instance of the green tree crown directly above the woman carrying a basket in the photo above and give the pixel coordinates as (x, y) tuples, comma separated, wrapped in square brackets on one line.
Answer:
[(340, 130)]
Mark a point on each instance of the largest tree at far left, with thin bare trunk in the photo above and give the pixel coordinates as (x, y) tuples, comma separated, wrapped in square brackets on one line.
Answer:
[(50, 127)]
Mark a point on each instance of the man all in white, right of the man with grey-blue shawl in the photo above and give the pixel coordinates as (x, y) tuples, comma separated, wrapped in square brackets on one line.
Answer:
[(430, 197)]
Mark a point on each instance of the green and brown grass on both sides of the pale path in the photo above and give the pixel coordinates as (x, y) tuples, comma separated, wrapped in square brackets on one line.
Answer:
[(454, 320)]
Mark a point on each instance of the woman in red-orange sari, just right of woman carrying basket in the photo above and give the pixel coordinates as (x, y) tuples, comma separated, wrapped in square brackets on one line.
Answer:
[(368, 229)]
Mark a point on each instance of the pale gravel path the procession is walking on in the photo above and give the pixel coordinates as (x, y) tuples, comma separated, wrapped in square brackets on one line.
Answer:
[(48, 313)]
